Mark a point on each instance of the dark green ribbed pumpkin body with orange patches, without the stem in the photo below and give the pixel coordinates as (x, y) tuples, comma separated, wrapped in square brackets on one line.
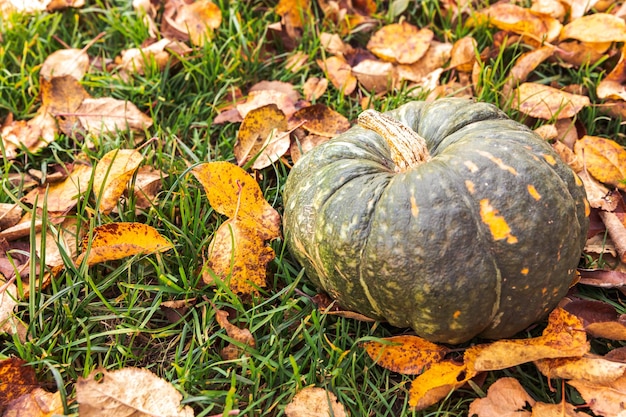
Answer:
[(482, 240)]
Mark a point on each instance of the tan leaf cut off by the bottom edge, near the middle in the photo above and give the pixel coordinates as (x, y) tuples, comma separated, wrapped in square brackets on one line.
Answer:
[(314, 402)]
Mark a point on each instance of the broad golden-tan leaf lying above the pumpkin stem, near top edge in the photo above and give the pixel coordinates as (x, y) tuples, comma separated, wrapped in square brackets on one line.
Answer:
[(401, 43)]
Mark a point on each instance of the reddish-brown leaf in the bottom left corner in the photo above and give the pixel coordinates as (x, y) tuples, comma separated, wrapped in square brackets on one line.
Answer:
[(18, 378)]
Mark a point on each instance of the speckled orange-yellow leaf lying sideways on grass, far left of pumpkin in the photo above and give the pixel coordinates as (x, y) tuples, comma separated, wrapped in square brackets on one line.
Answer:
[(118, 240)]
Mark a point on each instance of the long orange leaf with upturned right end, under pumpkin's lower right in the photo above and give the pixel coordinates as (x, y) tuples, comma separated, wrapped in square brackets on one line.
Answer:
[(563, 337)]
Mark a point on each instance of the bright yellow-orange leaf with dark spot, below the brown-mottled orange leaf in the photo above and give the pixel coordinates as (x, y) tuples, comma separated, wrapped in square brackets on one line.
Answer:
[(436, 383)]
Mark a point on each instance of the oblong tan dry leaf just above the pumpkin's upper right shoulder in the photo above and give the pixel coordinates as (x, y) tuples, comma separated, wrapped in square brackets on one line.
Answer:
[(544, 102)]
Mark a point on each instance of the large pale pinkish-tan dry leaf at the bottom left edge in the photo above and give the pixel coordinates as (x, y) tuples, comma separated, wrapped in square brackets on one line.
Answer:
[(128, 392)]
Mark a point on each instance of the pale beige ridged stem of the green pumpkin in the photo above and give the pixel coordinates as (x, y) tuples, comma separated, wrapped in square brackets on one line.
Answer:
[(408, 149)]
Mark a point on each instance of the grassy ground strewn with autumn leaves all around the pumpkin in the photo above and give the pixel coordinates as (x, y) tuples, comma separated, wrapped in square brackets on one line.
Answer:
[(144, 150)]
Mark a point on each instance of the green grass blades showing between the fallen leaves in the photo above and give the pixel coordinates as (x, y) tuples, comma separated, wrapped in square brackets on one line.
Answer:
[(109, 316)]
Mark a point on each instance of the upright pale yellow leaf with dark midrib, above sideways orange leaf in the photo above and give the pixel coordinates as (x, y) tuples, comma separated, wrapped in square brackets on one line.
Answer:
[(111, 176)]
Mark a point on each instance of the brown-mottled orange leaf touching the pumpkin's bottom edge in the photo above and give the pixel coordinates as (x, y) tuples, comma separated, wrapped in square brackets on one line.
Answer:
[(409, 355)]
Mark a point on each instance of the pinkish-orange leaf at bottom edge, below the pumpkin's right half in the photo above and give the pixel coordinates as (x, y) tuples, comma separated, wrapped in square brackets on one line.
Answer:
[(505, 398)]
